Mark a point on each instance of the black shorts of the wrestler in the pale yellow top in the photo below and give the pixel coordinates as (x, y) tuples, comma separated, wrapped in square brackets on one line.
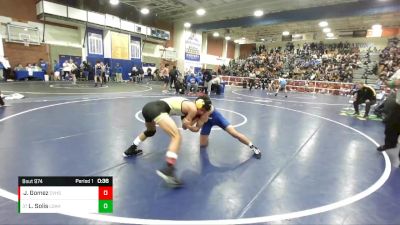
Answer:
[(155, 111)]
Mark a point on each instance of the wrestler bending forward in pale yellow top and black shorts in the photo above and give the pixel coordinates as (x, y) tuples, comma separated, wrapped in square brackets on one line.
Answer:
[(160, 112)]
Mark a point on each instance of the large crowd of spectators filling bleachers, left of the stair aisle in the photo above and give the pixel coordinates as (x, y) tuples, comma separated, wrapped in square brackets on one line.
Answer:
[(314, 61)]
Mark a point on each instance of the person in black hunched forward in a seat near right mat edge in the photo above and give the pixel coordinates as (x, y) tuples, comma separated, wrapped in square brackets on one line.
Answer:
[(365, 94)]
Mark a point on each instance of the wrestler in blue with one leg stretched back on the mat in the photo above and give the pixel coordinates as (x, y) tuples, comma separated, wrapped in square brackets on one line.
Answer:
[(216, 119)]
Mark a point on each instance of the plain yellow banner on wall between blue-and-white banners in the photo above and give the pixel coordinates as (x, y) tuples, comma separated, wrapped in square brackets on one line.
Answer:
[(119, 46)]
